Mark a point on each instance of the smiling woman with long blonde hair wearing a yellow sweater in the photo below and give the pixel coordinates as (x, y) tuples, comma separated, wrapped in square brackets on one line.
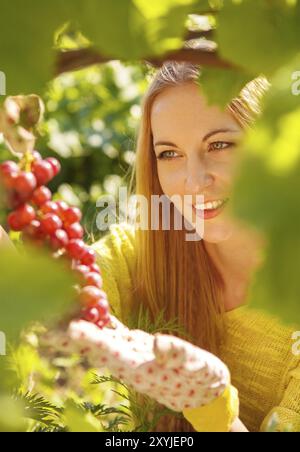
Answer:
[(203, 283)]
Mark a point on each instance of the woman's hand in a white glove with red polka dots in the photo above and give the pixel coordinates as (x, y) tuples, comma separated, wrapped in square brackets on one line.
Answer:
[(174, 372)]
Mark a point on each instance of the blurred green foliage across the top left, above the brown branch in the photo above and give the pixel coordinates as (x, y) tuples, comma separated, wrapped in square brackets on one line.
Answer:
[(131, 29)]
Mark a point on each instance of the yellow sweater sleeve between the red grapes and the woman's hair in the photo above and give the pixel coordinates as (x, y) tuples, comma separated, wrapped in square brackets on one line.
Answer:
[(115, 256)]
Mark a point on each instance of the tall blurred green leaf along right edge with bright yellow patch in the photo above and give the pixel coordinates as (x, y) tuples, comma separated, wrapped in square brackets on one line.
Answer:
[(267, 195)]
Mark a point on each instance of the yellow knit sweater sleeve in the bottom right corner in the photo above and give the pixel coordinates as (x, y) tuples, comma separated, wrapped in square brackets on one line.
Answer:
[(286, 416)]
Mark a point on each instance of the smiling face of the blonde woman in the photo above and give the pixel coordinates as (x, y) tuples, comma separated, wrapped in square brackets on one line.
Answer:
[(196, 151)]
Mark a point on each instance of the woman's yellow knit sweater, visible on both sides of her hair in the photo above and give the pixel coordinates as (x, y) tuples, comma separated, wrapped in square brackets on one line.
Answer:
[(257, 350)]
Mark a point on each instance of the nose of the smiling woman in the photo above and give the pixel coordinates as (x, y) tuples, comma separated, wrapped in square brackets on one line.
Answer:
[(197, 178)]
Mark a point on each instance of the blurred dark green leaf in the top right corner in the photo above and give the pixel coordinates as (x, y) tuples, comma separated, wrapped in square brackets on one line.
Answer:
[(258, 35)]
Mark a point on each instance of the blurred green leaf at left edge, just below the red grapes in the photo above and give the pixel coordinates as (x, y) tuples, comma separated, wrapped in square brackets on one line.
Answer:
[(32, 288)]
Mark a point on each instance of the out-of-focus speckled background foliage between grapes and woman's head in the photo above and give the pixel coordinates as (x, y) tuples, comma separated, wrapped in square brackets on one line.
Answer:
[(90, 125)]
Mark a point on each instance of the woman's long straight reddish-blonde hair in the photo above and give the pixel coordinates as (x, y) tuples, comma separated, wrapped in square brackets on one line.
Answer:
[(171, 273)]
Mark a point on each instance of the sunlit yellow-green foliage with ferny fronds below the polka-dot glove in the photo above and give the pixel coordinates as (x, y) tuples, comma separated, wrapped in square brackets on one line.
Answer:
[(65, 397)]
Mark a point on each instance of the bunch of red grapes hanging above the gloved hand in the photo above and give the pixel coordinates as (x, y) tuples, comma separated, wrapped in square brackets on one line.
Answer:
[(54, 224)]
